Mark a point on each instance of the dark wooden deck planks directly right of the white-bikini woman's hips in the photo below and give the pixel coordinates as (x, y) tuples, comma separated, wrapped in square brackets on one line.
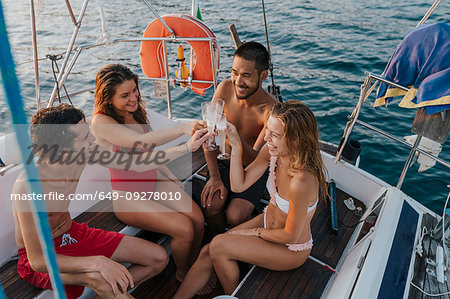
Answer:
[(309, 280)]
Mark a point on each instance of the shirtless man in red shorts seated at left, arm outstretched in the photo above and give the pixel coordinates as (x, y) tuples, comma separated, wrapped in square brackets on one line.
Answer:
[(86, 256)]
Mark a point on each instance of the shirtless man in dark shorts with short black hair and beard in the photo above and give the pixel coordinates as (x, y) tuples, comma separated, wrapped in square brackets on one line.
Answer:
[(245, 105)]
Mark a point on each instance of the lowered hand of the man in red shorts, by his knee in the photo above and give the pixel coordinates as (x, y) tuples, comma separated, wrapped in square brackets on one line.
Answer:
[(115, 274)]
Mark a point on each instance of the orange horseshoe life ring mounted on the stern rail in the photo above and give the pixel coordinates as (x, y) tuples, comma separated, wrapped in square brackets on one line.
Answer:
[(152, 55)]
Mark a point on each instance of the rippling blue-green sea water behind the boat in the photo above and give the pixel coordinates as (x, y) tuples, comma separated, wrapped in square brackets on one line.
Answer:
[(320, 50)]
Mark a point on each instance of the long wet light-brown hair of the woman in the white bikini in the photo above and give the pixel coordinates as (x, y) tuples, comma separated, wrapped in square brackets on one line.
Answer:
[(301, 138)]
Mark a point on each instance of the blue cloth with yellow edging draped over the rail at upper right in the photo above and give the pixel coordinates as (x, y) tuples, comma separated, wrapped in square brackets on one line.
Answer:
[(421, 62)]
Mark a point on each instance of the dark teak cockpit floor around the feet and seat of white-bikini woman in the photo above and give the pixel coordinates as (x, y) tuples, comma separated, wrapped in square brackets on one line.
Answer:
[(307, 281)]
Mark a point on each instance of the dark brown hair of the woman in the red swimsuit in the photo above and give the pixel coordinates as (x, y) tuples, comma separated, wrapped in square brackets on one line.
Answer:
[(106, 82)]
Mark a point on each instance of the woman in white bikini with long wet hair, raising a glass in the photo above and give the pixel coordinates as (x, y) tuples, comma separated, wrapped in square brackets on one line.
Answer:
[(280, 238)]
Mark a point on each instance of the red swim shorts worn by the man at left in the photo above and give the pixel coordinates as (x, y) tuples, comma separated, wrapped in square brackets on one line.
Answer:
[(79, 240)]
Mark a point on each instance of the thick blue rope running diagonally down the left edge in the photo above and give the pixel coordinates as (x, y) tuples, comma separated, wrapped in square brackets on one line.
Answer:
[(14, 99)]
